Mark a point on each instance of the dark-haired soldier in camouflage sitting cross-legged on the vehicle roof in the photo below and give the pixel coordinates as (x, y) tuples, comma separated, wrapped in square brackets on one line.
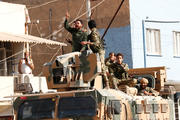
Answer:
[(118, 73)]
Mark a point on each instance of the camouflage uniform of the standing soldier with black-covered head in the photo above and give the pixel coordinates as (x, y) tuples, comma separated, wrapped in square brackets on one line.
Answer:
[(98, 47)]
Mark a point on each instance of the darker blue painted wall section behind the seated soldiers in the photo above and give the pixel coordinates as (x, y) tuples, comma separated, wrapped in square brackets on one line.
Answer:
[(118, 40)]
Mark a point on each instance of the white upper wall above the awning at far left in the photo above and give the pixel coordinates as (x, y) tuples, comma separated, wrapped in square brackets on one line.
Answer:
[(12, 18)]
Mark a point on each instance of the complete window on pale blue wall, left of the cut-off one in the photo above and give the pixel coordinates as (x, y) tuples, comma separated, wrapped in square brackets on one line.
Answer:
[(153, 42)]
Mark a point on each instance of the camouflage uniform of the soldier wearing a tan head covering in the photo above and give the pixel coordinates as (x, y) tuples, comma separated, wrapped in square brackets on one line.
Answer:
[(147, 89)]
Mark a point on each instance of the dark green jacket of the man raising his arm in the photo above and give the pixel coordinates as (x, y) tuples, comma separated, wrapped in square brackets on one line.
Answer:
[(77, 37)]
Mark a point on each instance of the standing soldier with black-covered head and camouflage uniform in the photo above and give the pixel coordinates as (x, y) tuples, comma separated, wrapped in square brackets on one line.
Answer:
[(97, 46)]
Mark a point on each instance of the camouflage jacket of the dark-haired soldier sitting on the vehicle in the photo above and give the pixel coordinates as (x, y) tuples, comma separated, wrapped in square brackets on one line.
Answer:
[(119, 70)]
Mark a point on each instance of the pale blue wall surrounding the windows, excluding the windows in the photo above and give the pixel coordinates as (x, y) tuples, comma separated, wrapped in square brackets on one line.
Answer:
[(158, 10)]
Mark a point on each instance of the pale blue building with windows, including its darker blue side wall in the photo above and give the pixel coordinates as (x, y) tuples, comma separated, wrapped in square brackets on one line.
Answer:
[(152, 37)]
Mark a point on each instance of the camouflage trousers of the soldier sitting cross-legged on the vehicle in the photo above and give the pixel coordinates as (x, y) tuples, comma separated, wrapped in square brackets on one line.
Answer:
[(115, 82)]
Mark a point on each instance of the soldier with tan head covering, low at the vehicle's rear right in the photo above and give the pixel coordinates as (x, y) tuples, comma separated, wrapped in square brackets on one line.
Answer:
[(144, 90)]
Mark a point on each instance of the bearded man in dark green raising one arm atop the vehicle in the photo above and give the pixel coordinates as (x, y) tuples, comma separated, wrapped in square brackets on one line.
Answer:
[(78, 35)]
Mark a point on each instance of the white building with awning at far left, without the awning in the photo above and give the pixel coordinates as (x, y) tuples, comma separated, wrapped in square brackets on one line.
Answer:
[(12, 21)]
